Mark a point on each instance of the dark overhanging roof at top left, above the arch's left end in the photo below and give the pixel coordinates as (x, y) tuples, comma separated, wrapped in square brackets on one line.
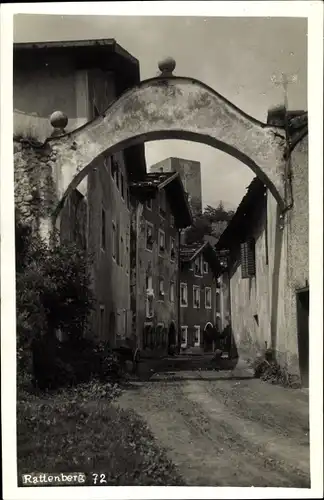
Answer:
[(106, 54)]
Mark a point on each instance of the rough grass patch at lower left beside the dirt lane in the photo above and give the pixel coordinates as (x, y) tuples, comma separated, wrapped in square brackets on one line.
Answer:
[(81, 430)]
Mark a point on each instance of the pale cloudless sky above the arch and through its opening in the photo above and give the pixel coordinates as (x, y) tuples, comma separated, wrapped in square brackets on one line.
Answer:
[(238, 57)]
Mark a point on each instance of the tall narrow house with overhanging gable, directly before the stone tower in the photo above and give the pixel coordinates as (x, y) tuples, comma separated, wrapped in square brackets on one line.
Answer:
[(160, 211)]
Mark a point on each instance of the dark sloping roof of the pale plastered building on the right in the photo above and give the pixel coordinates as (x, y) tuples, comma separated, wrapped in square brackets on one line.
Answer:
[(242, 218)]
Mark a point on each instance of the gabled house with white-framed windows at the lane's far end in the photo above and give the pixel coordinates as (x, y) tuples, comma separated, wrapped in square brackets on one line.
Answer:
[(199, 297)]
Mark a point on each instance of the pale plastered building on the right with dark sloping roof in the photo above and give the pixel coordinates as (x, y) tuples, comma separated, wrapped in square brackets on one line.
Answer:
[(266, 278)]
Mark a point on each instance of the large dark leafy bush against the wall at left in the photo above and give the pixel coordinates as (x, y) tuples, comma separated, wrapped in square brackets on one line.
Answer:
[(53, 292)]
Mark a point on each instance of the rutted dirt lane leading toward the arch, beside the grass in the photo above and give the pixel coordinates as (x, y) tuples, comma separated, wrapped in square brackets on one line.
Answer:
[(222, 429)]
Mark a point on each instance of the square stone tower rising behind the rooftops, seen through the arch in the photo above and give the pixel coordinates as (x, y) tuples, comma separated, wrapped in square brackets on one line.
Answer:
[(190, 173)]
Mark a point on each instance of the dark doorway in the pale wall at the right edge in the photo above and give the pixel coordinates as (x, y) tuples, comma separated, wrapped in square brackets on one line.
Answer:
[(303, 334)]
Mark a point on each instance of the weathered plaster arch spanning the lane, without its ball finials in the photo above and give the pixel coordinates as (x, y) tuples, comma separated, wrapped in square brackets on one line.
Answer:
[(176, 108)]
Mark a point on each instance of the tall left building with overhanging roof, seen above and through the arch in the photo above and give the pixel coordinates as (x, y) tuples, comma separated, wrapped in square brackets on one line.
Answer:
[(81, 79)]
